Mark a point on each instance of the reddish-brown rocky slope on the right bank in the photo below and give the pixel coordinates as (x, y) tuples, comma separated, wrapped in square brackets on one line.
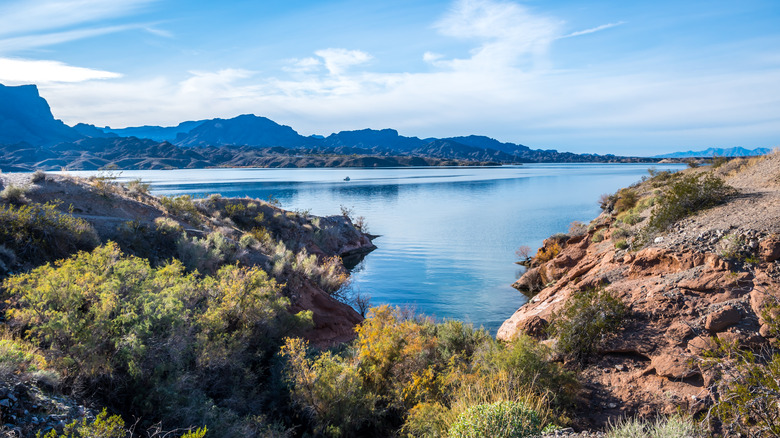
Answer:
[(707, 276)]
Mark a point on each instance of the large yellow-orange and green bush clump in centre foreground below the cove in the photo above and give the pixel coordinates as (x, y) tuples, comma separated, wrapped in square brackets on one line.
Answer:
[(418, 376)]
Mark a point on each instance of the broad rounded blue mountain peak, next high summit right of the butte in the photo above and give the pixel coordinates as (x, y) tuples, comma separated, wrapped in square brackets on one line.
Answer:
[(246, 129)]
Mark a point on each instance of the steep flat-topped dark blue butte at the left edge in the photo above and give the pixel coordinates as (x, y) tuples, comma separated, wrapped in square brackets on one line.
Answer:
[(25, 117)]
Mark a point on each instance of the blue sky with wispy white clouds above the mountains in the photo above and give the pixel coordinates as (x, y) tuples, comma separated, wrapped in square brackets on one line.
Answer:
[(621, 77)]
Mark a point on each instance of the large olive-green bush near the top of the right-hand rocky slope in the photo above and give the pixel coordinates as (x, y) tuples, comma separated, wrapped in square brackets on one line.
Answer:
[(687, 195)]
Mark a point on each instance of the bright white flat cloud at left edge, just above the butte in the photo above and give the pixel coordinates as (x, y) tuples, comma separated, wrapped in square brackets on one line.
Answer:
[(23, 71)]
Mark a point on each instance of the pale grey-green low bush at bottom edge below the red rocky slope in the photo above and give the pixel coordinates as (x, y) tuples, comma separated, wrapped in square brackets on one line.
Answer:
[(666, 427)]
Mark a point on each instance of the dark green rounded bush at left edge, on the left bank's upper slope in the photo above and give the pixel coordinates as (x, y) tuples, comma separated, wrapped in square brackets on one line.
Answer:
[(39, 232)]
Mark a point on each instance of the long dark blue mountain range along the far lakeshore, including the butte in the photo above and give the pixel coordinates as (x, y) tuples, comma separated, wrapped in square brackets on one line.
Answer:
[(31, 138)]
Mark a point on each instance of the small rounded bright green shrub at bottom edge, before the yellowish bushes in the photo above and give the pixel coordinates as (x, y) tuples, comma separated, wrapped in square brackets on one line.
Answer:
[(501, 420)]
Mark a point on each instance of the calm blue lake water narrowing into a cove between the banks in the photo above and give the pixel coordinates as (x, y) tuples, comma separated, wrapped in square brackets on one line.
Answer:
[(448, 235)]
